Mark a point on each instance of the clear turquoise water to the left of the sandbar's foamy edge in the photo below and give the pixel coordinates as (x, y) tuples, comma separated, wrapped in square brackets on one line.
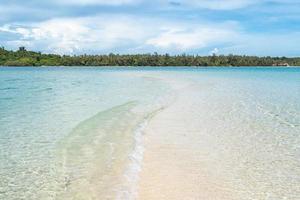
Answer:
[(42, 120)]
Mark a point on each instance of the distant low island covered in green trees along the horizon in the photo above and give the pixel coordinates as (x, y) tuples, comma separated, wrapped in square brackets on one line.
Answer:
[(23, 57)]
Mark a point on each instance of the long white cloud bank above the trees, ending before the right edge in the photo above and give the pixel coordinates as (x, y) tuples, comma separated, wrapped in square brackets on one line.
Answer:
[(107, 33)]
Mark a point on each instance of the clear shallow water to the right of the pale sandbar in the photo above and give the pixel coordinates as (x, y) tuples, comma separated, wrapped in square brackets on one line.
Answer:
[(250, 129)]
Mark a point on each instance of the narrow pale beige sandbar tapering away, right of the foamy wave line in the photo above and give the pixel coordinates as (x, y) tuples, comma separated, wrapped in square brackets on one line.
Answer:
[(175, 166)]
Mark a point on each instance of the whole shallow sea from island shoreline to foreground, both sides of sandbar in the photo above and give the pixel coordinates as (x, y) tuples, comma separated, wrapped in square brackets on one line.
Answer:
[(82, 132)]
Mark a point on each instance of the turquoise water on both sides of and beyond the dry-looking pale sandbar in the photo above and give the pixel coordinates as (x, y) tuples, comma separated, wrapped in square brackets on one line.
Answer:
[(69, 133)]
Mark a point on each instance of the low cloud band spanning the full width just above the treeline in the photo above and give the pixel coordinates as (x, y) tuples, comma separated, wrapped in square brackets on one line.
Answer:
[(132, 34)]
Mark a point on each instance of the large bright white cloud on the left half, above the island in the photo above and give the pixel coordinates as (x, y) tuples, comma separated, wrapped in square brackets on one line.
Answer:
[(78, 35)]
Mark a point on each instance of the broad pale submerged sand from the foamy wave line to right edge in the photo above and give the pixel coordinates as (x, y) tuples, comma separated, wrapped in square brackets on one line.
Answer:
[(212, 143)]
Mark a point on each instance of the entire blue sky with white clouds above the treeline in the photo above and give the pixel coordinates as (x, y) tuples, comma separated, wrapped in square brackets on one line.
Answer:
[(198, 27)]
